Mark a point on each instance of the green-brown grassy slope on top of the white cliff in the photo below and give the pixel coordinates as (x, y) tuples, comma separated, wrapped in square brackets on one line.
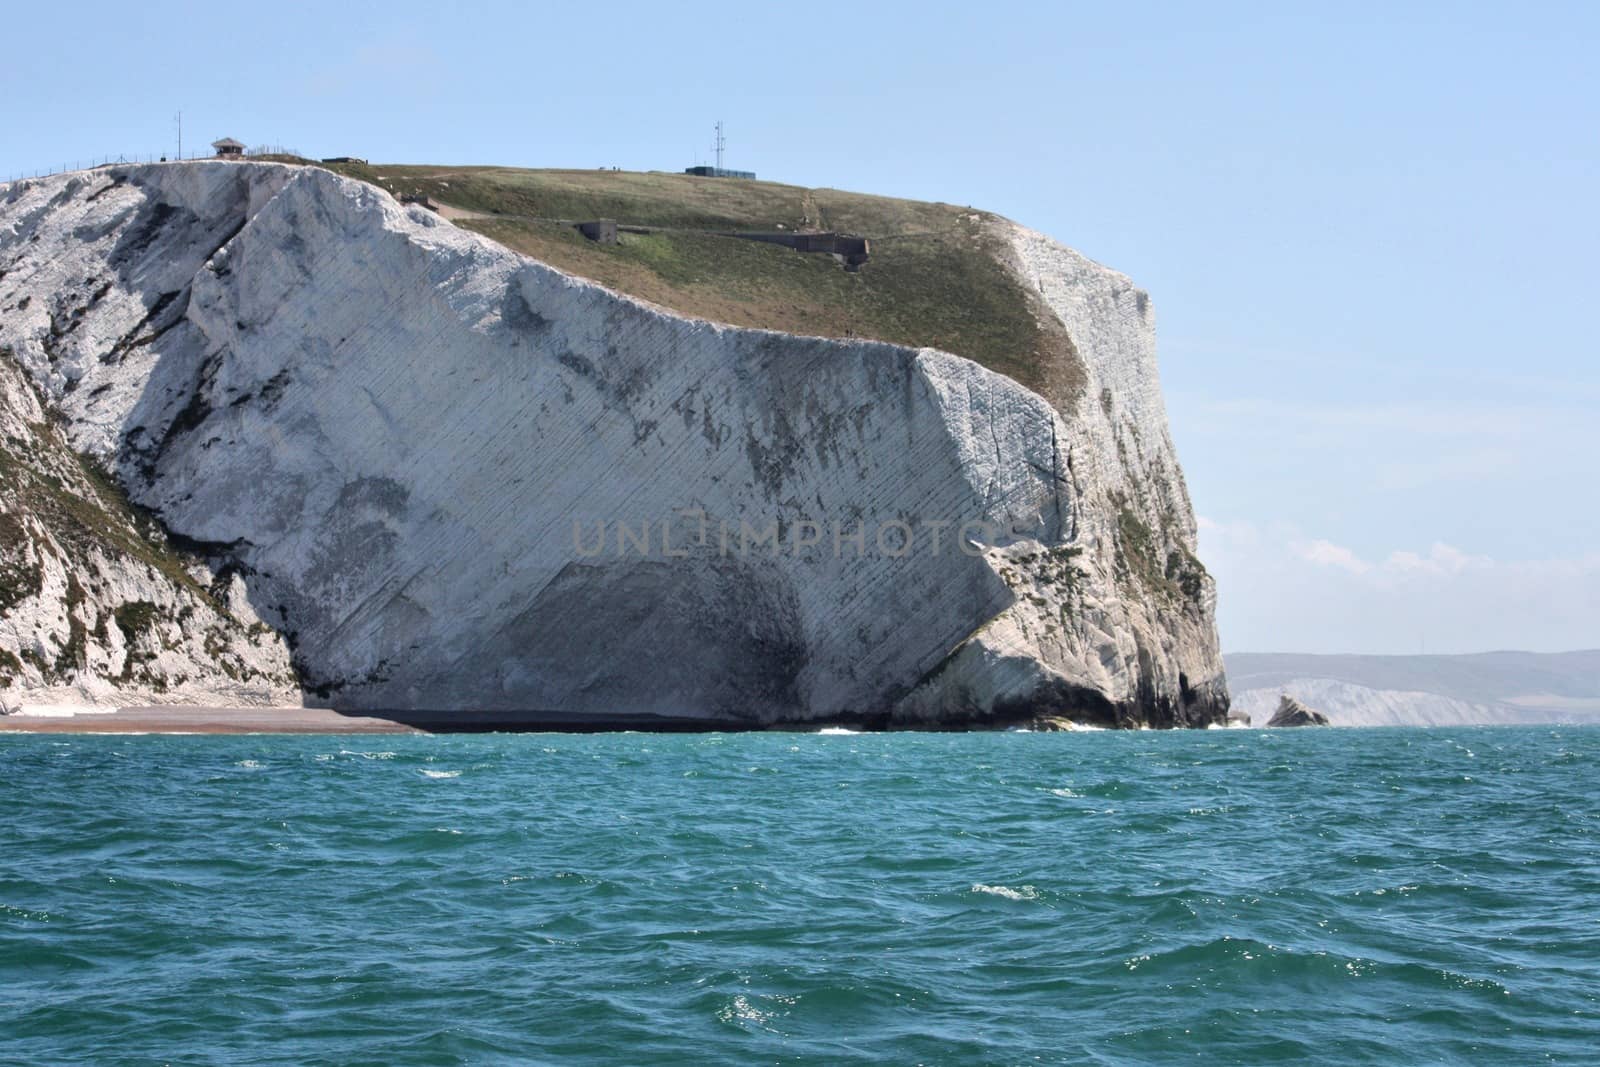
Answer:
[(937, 276)]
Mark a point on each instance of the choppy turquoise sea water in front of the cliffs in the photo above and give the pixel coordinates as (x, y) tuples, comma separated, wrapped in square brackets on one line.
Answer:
[(1228, 897)]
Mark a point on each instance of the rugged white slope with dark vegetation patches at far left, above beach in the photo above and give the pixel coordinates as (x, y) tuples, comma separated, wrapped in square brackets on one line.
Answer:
[(97, 604)]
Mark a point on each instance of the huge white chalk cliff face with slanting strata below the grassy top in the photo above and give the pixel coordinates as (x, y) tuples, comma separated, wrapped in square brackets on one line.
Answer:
[(455, 479)]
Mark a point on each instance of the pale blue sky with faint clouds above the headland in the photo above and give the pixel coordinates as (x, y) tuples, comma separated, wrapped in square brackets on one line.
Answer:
[(1372, 233)]
